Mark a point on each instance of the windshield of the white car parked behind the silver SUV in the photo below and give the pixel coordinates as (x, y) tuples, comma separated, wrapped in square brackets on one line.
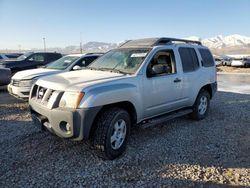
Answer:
[(62, 63)]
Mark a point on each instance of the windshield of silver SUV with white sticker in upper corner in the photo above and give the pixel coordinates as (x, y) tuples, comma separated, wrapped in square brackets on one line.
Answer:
[(120, 60)]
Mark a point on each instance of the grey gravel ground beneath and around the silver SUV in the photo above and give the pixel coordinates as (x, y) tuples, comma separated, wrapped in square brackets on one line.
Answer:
[(183, 153)]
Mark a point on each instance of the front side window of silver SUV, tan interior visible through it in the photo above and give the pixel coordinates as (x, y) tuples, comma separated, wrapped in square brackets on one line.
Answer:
[(163, 63)]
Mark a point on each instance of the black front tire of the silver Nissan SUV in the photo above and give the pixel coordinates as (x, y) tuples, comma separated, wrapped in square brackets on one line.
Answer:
[(105, 128)]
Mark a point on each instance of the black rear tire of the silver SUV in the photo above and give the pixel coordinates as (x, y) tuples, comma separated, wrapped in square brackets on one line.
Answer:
[(197, 113)]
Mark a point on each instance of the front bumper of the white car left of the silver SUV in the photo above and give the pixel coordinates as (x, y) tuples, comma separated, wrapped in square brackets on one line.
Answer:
[(19, 92)]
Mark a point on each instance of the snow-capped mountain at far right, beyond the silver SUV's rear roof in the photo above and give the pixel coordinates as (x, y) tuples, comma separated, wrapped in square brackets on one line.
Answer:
[(220, 41)]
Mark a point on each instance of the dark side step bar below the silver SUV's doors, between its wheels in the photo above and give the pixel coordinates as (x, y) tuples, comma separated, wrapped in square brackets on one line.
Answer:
[(164, 118)]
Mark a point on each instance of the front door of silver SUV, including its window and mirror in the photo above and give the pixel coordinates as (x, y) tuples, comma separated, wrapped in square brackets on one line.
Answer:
[(162, 89)]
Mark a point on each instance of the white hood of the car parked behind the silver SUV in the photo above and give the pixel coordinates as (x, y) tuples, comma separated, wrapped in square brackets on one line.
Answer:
[(33, 73)]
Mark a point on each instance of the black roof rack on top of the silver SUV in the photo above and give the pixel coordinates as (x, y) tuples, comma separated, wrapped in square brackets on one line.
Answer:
[(150, 42)]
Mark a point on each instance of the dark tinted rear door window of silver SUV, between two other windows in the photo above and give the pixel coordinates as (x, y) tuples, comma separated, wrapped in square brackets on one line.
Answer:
[(189, 59)]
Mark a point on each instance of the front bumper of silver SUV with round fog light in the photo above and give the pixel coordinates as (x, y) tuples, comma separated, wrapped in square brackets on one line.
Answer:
[(79, 121)]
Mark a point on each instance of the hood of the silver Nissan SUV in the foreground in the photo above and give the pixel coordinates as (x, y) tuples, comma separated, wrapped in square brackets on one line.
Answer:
[(77, 80)]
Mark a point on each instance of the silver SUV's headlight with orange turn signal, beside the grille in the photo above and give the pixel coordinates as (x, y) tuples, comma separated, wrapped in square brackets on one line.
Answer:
[(71, 99)]
